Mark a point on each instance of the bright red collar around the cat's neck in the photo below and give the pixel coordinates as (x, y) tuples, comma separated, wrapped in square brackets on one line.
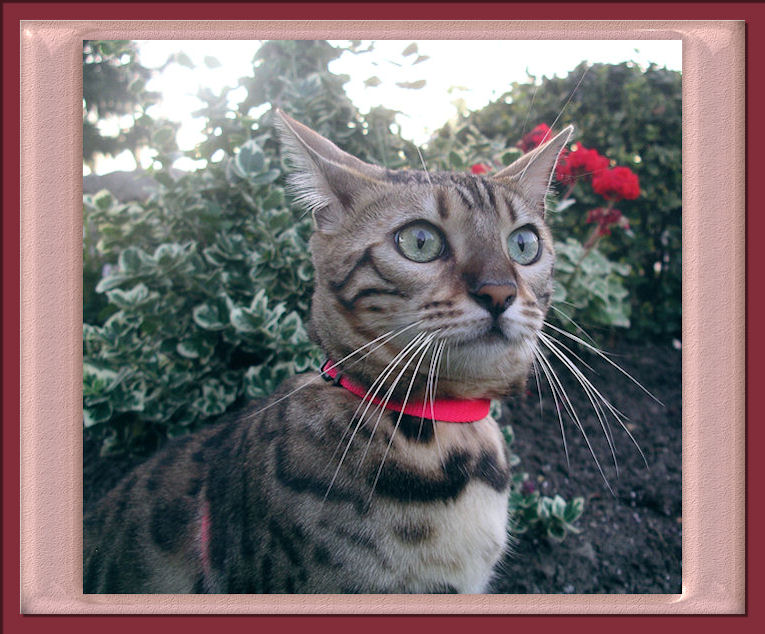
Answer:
[(443, 410)]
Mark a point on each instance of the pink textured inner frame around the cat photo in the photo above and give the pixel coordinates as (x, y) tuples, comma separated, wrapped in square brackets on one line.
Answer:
[(51, 289)]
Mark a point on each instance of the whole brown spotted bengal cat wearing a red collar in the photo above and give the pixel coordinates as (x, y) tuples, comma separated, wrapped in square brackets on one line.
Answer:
[(384, 473)]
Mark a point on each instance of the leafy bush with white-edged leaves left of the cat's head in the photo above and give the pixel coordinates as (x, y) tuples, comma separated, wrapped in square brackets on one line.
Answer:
[(195, 300)]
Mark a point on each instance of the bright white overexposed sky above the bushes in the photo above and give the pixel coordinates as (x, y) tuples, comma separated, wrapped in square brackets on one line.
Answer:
[(457, 73)]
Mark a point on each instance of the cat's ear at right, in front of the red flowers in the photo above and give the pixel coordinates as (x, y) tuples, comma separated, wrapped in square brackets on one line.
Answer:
[(533, 172)]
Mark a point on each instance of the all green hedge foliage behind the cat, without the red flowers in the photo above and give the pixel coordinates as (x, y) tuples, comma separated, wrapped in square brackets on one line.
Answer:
[(196, 298)]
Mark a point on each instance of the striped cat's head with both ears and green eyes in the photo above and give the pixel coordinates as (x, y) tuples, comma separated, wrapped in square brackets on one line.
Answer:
[(460, 264)]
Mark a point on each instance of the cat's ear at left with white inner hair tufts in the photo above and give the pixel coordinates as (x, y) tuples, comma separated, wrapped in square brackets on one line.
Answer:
[(326, 180)]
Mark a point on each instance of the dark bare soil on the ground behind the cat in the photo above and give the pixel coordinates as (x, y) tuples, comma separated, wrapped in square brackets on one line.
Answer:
[(630, 541)]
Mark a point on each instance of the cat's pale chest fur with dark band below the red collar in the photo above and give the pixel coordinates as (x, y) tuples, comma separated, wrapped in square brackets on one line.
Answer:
[(439, 515)]
